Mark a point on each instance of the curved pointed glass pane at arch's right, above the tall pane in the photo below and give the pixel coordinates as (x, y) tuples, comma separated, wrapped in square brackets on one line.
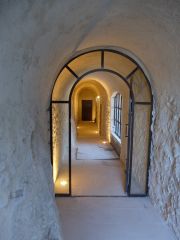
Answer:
[(140, 87)]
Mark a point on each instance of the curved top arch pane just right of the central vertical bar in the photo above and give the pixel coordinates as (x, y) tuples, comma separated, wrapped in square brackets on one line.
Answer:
[(118, 63)]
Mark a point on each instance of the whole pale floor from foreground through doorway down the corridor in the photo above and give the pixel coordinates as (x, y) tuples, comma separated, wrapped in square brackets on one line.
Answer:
[(105, 218)]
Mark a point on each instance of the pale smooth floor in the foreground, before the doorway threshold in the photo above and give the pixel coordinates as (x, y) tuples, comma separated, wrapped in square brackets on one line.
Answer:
[(118, 218)]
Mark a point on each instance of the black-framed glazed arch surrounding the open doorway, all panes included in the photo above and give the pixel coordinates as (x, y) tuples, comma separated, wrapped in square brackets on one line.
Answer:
[(138, 131)]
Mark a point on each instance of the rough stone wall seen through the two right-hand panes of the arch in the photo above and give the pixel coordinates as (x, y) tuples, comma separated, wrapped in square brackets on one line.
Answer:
[(142, 116)]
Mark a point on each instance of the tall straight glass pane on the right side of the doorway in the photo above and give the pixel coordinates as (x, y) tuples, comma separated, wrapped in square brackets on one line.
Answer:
[(140, 148)]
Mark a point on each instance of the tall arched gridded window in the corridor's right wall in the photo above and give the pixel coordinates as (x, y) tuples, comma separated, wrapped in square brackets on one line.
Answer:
[(117, 114)]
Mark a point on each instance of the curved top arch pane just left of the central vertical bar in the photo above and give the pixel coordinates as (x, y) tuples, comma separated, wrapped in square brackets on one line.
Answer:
[(86, 63)]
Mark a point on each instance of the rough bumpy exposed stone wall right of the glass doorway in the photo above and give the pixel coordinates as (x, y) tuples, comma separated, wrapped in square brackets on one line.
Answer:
[(165, 164)]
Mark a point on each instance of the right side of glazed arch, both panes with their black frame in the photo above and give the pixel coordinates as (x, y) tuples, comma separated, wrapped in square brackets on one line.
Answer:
[(139, 134)]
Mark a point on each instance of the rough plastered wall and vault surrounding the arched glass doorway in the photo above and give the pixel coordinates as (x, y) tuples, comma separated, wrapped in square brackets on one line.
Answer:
[(36, 38)]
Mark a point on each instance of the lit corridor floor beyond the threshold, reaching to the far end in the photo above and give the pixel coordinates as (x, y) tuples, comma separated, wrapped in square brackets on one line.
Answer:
[(97, 170)]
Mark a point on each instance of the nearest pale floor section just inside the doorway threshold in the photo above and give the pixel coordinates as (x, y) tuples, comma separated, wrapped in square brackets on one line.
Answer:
[(100, 178)]
